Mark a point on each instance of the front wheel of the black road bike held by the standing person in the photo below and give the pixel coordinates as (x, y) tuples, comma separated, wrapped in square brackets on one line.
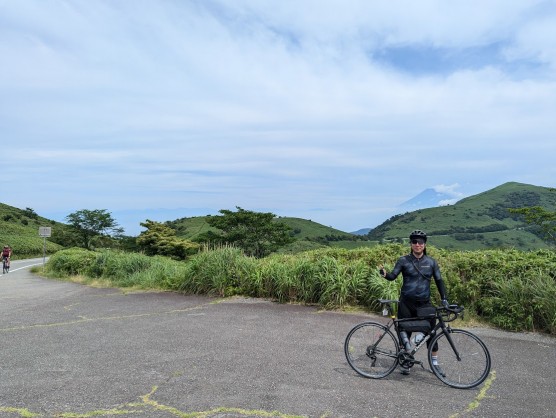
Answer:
[(474, 364)]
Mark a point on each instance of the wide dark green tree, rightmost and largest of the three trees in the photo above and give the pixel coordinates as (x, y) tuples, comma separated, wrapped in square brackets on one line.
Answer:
[(256, 233)]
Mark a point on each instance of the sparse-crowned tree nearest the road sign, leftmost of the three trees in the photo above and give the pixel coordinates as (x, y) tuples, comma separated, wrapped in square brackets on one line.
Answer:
[(93, 224)]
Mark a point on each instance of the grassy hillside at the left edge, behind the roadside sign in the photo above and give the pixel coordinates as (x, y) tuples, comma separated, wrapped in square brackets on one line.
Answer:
[(20, 230)]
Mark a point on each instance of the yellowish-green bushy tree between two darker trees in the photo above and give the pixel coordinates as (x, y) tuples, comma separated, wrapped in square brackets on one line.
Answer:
[(160, 239)]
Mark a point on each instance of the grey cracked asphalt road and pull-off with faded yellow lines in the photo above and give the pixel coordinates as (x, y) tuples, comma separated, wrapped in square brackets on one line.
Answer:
[(68, 350)]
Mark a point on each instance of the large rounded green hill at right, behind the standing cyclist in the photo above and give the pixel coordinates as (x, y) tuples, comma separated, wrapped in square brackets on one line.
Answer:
[(481, 221)]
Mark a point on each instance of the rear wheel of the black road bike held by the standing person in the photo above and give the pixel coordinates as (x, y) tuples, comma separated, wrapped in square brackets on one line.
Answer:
[(371, 350)]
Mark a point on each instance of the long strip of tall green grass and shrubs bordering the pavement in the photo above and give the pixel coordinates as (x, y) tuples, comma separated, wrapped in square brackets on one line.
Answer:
[(510, 289)]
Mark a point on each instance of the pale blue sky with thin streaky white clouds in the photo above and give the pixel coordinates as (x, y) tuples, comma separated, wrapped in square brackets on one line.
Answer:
[(333, 111)]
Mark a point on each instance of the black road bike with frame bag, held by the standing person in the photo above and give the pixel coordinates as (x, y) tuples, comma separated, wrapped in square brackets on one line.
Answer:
[(373, 349)]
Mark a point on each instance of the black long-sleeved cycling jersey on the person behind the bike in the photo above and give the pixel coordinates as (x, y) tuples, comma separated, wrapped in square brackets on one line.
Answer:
[(417, 274)]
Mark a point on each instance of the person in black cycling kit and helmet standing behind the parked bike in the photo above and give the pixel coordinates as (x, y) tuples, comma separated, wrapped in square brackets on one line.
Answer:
[(418, 269)]
